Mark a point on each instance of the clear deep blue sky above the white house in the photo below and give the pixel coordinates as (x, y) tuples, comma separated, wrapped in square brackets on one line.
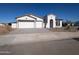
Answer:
[(65, 11)]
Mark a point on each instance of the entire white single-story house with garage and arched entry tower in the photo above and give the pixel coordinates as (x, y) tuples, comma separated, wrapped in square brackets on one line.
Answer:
[(33, 21)]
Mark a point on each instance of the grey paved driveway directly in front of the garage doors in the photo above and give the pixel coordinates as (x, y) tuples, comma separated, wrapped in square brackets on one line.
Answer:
[(27, 31)]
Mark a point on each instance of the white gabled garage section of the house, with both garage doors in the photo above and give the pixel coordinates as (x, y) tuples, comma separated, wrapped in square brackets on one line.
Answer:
[(29, 21)]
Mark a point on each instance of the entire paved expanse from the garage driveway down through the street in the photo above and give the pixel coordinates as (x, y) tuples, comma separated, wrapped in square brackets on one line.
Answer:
[(39, 41)]
